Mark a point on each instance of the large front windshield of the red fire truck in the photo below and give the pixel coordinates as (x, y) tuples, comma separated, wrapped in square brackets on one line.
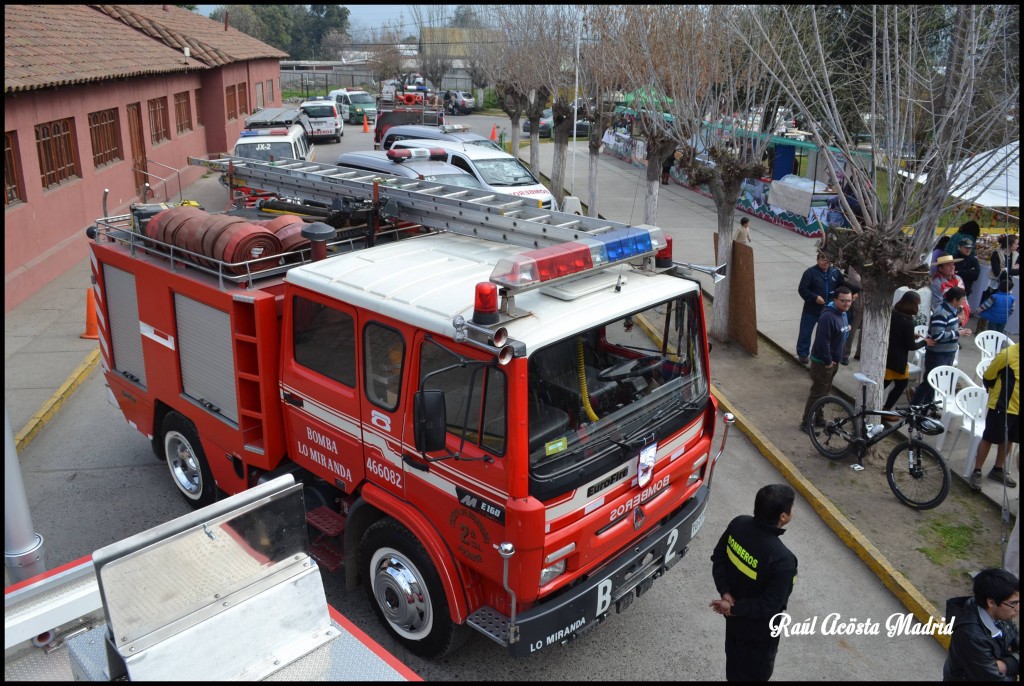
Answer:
[(595, 394)]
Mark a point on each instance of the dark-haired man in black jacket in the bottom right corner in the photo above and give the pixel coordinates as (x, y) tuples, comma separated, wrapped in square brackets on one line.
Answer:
[(986, 645)]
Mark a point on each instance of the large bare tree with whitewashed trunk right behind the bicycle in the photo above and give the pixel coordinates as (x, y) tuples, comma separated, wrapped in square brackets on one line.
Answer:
[(915, 79)]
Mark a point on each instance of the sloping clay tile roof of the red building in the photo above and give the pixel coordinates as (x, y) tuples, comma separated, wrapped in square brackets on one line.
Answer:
[(54, 46)]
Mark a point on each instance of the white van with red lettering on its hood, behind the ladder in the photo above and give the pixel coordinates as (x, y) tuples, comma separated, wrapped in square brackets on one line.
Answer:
[(495, 170)]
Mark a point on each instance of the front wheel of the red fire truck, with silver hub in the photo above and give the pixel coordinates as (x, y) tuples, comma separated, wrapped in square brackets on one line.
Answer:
[(406, 592)]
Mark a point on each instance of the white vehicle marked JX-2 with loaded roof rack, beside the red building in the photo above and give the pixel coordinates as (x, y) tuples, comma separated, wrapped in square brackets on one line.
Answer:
[(276, 134)]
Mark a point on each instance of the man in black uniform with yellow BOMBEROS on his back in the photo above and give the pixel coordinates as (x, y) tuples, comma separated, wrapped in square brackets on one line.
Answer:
[(754, 573)]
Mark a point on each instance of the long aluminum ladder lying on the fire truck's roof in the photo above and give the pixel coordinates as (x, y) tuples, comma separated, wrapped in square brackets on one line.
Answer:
[(474, 212)]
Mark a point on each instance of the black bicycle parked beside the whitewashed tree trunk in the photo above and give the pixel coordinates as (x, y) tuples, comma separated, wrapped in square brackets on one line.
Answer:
[(917, 473)]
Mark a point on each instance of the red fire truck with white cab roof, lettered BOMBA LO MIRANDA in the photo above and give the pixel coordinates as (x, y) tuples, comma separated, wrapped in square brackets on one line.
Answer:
[(502, 416)]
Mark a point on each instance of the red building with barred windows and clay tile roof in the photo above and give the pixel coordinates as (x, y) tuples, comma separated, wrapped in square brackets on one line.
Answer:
[(112, 97)]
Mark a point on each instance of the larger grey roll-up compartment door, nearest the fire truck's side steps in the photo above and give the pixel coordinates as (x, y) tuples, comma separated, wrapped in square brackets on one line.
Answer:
[(205, 354)]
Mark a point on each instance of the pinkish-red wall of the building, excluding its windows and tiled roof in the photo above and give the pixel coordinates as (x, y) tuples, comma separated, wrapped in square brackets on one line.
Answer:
[(46, 234)]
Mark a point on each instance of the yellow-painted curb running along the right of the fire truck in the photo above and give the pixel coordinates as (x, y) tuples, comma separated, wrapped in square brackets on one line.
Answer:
[(906, 592)]
